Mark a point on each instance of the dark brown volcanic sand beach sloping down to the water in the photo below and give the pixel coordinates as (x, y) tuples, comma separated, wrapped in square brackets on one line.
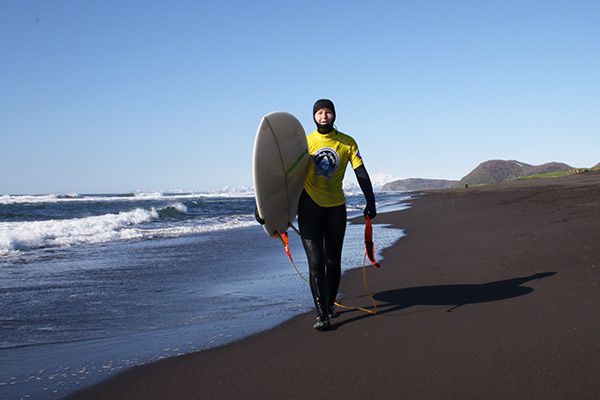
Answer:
[(494, 294)]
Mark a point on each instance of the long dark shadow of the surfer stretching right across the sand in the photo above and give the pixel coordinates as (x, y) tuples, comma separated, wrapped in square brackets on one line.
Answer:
[(453, 296)]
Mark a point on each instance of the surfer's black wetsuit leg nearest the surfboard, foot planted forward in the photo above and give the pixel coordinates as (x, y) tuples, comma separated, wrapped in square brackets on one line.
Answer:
[(310, 222)]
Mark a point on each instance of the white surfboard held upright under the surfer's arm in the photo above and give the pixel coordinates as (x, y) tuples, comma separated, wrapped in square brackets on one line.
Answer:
[(279, 167)]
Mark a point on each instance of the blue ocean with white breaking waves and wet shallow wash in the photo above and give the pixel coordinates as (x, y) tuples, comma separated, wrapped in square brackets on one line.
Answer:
[(92, 284)]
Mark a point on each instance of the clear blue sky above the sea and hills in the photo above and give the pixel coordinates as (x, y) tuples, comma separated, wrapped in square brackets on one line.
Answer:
[(111, 96)]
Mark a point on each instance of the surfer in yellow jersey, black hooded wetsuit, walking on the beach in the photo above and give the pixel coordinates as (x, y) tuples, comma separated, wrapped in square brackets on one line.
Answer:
[(322, 207)]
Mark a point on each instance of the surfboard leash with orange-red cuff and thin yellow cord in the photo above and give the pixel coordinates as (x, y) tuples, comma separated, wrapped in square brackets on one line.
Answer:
[(369, 253)]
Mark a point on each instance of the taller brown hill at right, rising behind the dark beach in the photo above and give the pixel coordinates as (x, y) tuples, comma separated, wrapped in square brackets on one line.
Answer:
[(495, 171)]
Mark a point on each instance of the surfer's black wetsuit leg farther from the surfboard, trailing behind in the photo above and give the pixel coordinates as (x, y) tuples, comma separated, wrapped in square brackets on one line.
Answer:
[(335, 229)]
